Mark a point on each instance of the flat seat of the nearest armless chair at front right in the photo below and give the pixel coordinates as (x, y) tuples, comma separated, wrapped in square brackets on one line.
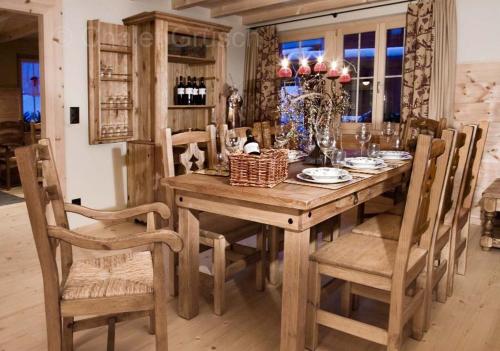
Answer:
[(372, 255)]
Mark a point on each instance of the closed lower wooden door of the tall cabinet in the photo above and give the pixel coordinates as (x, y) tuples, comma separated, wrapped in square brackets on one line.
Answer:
[(140, 173)]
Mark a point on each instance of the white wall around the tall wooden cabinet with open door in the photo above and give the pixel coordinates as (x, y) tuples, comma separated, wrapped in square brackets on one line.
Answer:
[(97, 173)]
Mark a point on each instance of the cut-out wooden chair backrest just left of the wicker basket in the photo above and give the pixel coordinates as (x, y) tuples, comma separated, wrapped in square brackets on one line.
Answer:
[(193, 155)]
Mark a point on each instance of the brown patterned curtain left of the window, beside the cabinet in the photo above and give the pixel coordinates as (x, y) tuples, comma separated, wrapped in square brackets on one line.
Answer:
[(261, 86)]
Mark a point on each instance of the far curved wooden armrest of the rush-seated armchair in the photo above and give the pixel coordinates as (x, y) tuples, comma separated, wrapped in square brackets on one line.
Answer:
[(156, 207)]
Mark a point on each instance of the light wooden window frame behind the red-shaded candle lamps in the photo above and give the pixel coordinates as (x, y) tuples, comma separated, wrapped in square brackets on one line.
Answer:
[(334, 48)]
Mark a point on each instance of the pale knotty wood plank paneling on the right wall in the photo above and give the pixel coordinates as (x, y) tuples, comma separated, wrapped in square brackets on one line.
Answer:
[(478, 99)]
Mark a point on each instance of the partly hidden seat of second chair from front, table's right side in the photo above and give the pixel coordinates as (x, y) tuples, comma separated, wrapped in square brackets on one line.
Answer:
[(385, 225)]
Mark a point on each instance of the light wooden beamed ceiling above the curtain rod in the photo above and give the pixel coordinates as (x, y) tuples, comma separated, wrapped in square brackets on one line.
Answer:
[(258, 11)]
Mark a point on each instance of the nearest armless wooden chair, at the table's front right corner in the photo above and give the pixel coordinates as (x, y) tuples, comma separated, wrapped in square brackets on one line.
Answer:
[(388, 268)]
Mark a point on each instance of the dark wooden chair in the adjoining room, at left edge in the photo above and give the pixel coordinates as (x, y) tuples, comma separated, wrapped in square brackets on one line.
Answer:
[(11, 137)]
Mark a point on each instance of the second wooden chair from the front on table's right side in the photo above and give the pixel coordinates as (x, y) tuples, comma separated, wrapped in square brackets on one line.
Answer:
[(388, 225)]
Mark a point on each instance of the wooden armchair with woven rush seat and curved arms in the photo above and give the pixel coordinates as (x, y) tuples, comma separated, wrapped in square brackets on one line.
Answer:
[(111, 288)]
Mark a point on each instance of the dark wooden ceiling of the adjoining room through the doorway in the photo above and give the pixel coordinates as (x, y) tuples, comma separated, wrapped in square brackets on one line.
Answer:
[(15, 26)]
